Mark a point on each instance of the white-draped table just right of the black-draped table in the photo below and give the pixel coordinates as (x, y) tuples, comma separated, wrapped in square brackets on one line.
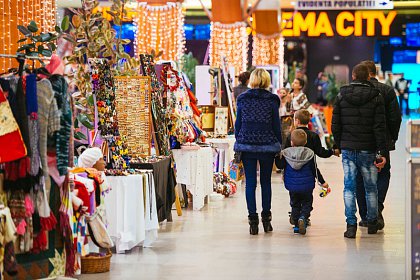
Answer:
[(194, 168)]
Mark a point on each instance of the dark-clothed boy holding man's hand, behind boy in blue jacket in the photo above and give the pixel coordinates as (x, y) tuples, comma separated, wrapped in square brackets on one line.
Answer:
[(301, 121)]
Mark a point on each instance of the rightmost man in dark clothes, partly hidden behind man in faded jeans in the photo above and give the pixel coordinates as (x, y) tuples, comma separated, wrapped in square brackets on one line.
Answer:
[(393, 123)]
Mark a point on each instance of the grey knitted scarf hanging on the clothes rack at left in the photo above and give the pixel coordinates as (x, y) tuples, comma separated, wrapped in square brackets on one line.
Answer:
[(49, 122)]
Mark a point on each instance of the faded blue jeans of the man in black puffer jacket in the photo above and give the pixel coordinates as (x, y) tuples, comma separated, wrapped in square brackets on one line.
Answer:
[(354, 163)]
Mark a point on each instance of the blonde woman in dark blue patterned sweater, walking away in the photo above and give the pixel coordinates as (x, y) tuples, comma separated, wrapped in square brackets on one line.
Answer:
[(258, 139)]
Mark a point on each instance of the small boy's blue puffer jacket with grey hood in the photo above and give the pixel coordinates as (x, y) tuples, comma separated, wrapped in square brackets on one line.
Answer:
[(299, 169)]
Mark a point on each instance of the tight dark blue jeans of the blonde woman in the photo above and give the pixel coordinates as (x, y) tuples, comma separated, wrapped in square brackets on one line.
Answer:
[(250, 167)]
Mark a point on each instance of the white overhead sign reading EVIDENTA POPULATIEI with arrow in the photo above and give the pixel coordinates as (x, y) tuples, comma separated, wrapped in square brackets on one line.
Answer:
[(344, 5)]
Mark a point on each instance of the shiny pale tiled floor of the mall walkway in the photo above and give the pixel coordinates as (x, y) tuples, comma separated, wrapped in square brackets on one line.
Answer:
[(215, 244)]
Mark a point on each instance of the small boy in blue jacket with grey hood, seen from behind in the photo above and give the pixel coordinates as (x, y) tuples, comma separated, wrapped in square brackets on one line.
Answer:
[(300, 172)]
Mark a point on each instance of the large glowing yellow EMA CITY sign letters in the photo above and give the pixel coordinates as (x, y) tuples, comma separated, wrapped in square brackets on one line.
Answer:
[(346, 24)]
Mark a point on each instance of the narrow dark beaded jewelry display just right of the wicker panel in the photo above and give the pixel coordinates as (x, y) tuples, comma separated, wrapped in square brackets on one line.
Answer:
[(159, 111)]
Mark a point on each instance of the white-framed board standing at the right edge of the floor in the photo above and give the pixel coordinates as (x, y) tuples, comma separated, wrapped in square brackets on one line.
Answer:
[(413, 220)]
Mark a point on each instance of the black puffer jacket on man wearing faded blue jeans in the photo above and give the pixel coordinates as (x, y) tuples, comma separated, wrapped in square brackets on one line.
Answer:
[(359, 118)]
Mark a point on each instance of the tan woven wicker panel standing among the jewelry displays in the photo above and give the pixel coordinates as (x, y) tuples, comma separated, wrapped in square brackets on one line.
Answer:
[(132, 96)]
